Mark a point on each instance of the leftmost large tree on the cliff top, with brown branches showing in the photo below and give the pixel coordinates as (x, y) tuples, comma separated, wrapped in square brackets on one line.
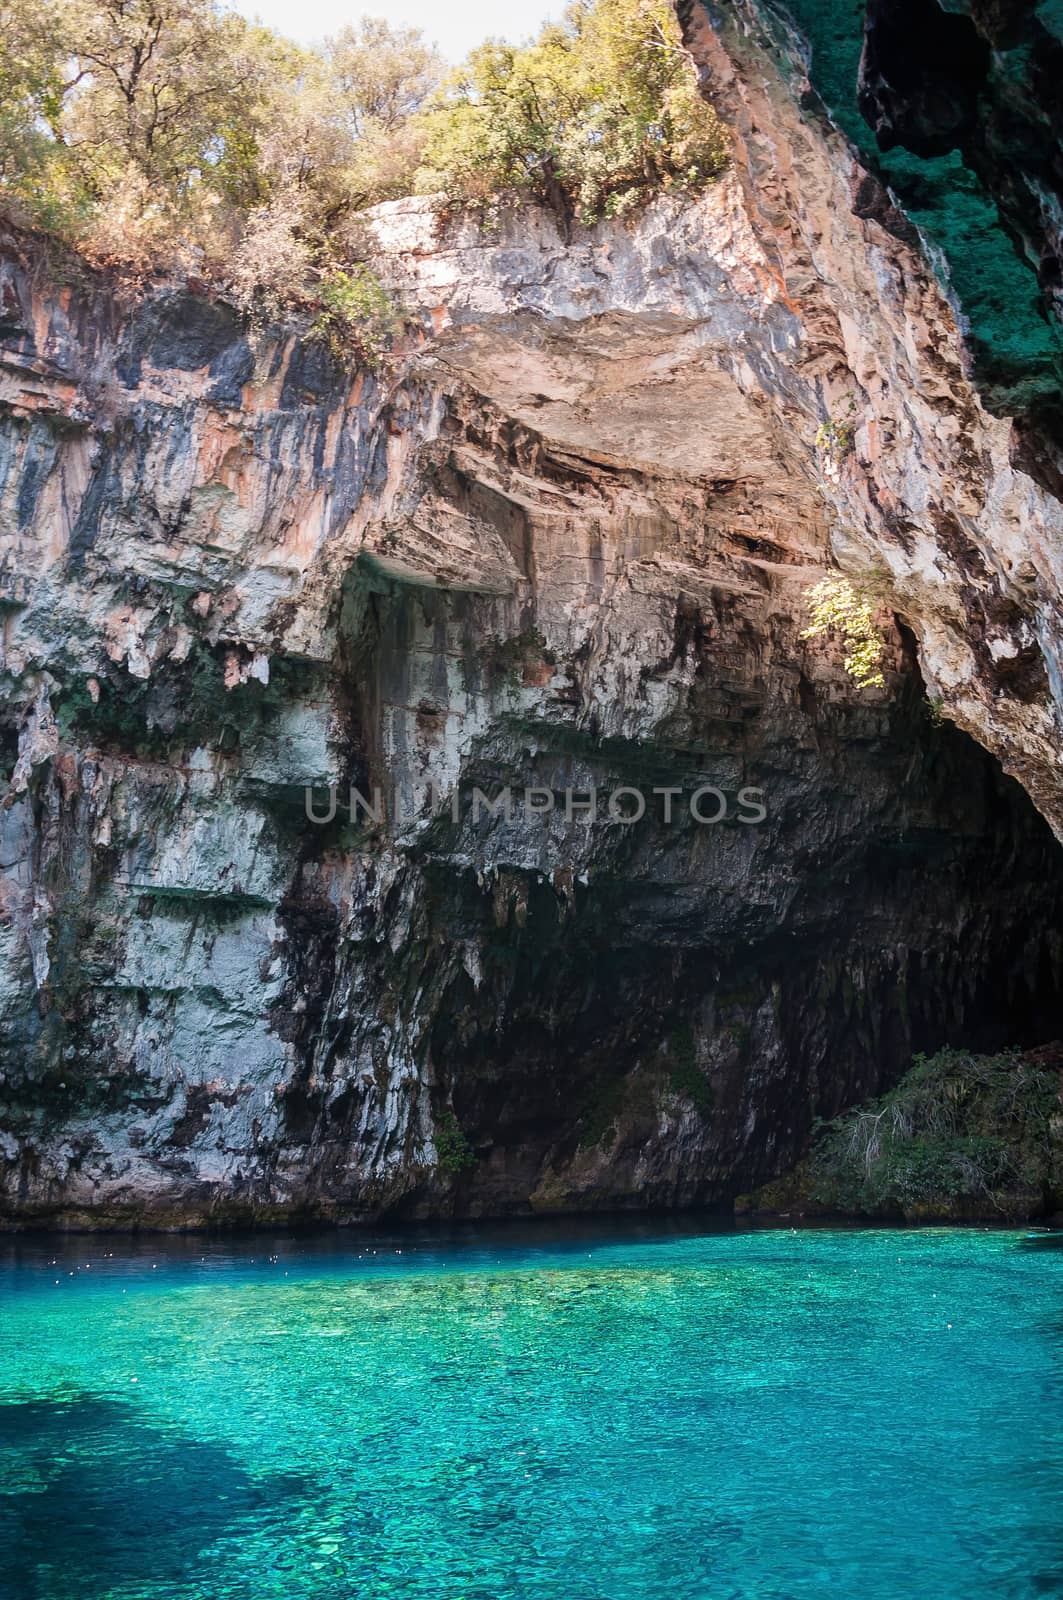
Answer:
[(129, 113)]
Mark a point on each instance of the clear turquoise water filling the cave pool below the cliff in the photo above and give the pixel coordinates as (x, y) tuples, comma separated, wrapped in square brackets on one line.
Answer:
[(860, 1415)]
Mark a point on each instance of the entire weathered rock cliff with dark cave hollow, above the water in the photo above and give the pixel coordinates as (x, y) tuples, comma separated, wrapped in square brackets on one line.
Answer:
[(560, 543)]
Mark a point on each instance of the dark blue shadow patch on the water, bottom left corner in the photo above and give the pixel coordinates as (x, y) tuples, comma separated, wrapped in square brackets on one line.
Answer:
[(103, 1500)]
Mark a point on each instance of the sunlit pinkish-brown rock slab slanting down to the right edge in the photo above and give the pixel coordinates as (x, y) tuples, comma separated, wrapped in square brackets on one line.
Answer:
[(937, 497)]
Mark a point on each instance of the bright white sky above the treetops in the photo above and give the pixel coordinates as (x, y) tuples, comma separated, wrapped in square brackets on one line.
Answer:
[(452, 25)]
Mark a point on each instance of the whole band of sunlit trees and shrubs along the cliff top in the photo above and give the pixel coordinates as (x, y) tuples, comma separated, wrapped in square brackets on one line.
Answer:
[(174, 134)]
